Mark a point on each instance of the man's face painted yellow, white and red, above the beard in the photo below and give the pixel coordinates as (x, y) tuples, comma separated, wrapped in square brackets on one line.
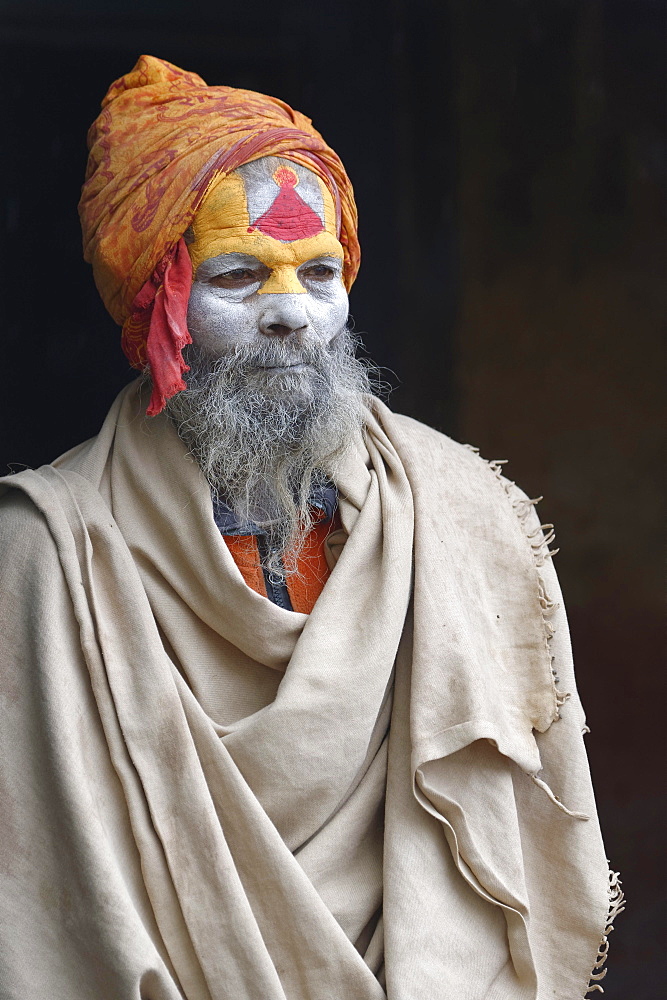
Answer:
[(266, 259)]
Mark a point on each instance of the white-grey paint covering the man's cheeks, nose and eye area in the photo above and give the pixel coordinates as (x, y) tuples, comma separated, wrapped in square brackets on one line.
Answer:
[(227, 307)]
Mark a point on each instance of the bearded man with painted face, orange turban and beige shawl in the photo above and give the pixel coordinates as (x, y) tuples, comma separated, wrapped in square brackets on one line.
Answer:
[(289, 704)]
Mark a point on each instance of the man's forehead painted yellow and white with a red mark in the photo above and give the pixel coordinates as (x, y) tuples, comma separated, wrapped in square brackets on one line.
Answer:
[(270, 208)]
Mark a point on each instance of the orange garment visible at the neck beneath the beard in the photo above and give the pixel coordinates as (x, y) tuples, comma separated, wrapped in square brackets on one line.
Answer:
[(304, 586)]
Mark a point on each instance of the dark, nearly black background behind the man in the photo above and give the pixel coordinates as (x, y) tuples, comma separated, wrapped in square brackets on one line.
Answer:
[(508, 160)]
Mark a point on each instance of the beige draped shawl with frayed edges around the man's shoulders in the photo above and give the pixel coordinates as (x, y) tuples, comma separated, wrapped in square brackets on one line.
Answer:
[(206, 796)]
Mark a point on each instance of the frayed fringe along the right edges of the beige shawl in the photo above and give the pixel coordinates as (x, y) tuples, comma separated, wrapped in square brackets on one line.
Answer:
[(540, 539)]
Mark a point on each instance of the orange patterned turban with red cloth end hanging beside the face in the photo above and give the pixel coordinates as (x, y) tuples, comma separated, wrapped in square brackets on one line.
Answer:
[(162, 138)]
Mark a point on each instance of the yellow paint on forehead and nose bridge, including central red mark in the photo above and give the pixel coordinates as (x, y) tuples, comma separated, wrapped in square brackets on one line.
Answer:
[(284, 237)]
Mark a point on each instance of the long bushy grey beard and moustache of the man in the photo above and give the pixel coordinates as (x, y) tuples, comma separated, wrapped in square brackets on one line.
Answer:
[(264, 434)]
